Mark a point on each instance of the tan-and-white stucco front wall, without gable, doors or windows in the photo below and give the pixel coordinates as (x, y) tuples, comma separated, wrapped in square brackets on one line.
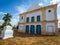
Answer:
[(45, 15)]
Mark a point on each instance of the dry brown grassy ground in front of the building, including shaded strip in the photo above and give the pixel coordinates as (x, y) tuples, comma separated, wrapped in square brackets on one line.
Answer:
[(27, 39)]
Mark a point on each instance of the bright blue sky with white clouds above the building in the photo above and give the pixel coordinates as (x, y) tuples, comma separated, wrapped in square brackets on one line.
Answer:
[(15, 7)]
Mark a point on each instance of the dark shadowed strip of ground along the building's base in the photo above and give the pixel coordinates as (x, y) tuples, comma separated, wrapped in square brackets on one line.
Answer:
[(19, 34)]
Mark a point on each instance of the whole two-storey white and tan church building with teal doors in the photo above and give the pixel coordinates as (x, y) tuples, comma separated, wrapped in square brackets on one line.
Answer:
[(39, 20)]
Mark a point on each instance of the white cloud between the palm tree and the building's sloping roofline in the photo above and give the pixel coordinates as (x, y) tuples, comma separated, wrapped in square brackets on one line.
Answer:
[(19, 9)]
